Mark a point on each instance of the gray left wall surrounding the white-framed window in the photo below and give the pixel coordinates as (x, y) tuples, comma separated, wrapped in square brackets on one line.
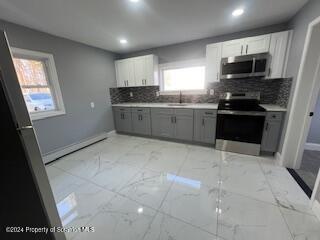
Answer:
[(85, 75)]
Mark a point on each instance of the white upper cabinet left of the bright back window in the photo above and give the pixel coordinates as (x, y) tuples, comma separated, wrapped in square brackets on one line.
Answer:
[(143, 71)]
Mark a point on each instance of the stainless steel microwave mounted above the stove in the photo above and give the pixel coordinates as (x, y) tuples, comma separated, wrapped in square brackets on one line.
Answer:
[(254, 65)]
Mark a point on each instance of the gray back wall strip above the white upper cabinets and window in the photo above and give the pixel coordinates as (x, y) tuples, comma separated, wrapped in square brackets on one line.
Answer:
[(197, 49)]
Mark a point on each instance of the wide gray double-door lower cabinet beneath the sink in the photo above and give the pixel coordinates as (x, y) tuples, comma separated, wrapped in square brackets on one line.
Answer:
[(172, 123)]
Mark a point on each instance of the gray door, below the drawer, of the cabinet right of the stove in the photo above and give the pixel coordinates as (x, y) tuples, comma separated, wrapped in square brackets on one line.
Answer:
[(271, 136)]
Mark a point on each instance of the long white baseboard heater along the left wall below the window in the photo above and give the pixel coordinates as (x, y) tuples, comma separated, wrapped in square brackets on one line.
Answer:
[(74, 147)]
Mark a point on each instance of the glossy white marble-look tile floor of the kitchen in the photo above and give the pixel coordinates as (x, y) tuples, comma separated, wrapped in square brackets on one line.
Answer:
[(138, 188)]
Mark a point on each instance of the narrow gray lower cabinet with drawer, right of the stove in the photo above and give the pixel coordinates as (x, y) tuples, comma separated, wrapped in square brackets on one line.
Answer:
[(272, 132)]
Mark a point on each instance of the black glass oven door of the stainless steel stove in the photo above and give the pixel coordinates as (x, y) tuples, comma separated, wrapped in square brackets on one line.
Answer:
[(240, 127)]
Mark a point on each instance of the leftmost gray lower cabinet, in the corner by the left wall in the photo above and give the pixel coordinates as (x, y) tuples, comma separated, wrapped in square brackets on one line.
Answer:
[(122, 118)]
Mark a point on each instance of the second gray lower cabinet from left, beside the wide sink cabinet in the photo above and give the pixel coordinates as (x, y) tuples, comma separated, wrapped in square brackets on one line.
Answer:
[(141, 122)]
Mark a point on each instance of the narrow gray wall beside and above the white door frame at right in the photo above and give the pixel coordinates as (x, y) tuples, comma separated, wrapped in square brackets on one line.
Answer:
[(299, 23)]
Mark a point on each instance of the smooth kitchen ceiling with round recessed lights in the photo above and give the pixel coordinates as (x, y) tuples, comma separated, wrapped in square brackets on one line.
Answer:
[(146, 24)]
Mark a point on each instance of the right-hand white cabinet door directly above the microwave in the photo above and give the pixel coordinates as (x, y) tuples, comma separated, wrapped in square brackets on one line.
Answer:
[(258, 44)]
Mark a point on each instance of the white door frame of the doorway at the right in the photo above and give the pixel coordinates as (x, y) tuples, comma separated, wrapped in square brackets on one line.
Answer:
[(304, 100)]
